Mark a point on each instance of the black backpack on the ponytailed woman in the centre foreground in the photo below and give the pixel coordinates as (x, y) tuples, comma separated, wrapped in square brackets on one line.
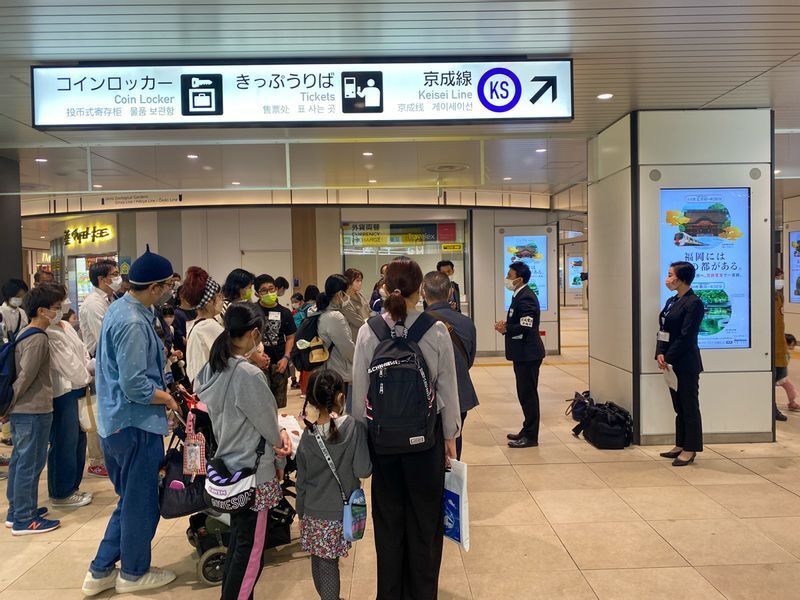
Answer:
[(401, 403)]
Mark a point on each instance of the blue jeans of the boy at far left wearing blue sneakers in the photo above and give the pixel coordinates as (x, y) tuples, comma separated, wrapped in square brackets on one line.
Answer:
[(30, 434)]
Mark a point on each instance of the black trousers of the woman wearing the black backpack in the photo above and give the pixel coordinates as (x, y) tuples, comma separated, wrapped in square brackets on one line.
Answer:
[(407, 497)]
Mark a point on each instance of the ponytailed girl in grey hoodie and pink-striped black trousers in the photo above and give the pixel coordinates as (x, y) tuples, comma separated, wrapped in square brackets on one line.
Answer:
[(243, 411)]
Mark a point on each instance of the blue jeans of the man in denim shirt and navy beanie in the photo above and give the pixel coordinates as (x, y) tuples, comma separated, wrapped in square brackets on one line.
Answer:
[(133, 459)]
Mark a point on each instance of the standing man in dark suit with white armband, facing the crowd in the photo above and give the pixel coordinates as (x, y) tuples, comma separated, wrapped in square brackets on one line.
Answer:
[(525, 349)]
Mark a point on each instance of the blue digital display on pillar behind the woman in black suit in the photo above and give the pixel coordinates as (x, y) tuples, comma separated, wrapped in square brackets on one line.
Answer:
[(710, 228)]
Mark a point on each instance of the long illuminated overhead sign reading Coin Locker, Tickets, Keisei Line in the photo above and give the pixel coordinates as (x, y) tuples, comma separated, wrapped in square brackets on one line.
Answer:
[(320, 94)]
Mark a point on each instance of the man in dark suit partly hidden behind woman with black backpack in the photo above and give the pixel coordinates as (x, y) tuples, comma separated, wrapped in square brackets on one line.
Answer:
[(436, 290)]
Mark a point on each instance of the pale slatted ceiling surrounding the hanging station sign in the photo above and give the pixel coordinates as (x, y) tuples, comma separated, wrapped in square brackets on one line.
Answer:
[(651, 54)]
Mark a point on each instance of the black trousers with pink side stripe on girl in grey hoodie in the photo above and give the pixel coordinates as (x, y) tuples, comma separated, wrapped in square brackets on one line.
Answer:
[(243, 563)]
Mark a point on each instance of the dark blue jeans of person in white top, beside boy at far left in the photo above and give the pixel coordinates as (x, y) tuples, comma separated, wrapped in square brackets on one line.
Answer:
[(67, 455)]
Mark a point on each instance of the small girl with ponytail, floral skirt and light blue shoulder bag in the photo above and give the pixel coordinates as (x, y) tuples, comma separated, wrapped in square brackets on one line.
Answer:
[(319, 499)]
